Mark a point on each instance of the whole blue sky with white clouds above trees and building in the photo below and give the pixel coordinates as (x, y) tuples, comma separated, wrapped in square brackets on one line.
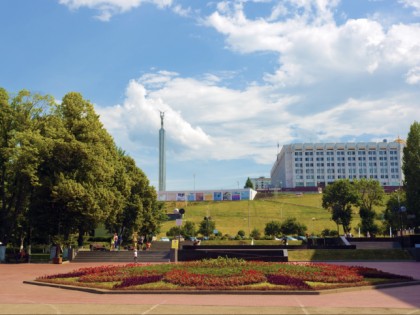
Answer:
[(235, 78)]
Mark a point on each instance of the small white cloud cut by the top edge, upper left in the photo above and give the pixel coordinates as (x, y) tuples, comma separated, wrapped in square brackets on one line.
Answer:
[(108, 8)]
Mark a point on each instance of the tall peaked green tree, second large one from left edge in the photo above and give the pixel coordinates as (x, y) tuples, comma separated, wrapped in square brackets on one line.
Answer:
[(78, 173)]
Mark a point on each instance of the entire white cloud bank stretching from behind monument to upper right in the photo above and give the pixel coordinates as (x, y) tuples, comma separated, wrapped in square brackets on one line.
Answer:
[(352, 80)]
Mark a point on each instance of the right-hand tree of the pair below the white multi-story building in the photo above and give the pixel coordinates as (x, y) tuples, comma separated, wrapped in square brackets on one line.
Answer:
[(369, 193)]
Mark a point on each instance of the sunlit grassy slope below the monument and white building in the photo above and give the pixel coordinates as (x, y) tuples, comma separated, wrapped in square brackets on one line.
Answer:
[(232, 216)]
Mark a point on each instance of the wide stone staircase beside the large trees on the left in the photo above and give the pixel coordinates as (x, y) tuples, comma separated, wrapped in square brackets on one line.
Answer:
[(158, 253)]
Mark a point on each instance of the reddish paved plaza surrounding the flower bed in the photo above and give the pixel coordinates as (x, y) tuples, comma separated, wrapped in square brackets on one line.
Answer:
[(19, 298)]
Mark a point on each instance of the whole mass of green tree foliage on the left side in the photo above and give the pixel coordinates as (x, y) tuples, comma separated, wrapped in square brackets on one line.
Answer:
[(61, 172)]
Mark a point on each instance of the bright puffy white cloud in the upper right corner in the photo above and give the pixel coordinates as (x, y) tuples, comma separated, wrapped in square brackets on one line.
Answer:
[(312, 47)]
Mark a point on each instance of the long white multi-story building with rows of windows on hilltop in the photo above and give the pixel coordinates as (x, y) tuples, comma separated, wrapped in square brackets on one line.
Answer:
[(318, 164)]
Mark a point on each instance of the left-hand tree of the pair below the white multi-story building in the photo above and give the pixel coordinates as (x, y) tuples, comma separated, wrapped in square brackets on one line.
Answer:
[(338, 197)]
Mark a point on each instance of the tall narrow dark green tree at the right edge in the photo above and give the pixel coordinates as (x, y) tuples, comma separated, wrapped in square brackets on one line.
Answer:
[(411, 169)]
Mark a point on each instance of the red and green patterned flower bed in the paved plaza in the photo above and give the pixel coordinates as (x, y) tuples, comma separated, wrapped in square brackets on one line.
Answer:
[(224, 274)]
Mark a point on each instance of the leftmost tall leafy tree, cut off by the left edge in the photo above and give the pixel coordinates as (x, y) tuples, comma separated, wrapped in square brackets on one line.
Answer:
[(21, 147)]
